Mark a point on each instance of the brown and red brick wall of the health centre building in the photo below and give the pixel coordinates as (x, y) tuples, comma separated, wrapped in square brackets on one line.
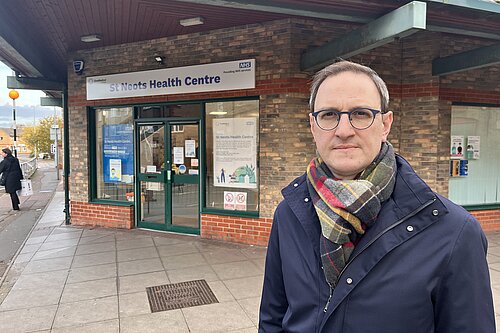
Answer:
[(421, 102)]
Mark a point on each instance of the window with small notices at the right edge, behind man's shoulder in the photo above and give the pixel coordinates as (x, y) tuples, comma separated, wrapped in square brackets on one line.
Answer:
[(477, 129)]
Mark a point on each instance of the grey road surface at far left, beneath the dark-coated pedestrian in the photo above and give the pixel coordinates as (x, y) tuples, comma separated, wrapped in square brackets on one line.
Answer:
[(16, 225)]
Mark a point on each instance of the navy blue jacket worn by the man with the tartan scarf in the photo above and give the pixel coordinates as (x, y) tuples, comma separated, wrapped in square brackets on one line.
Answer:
[(420, 268)]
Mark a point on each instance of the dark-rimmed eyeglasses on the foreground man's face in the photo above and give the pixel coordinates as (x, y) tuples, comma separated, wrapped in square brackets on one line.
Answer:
[(359, 118)]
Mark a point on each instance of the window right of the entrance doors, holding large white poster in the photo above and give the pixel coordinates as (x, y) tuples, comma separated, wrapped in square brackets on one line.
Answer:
[(232, 145)]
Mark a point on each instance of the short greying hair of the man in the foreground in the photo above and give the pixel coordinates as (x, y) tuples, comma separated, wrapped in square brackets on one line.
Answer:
[(348, 66)]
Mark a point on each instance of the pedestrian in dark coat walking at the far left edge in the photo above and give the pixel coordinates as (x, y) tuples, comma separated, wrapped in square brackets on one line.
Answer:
[(12, 173)]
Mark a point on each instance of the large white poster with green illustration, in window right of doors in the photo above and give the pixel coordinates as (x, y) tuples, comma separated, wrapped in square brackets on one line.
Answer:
[(235, 152)]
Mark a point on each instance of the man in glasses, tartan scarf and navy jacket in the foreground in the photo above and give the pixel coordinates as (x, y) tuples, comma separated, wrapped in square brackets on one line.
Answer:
[(360, 243)]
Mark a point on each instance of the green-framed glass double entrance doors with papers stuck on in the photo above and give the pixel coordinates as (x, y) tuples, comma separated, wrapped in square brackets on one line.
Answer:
[(168, 175)]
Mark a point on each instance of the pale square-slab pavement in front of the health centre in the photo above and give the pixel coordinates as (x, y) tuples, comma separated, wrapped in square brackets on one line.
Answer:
[(75, 279)]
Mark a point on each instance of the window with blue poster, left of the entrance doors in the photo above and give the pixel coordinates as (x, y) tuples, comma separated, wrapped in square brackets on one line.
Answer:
[(114, 153)]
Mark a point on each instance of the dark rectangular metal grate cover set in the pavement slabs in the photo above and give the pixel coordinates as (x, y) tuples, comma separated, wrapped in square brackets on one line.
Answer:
[(180, 295)]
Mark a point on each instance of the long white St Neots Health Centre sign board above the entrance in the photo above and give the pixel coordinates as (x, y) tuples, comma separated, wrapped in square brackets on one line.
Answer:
[(221, 76)]
